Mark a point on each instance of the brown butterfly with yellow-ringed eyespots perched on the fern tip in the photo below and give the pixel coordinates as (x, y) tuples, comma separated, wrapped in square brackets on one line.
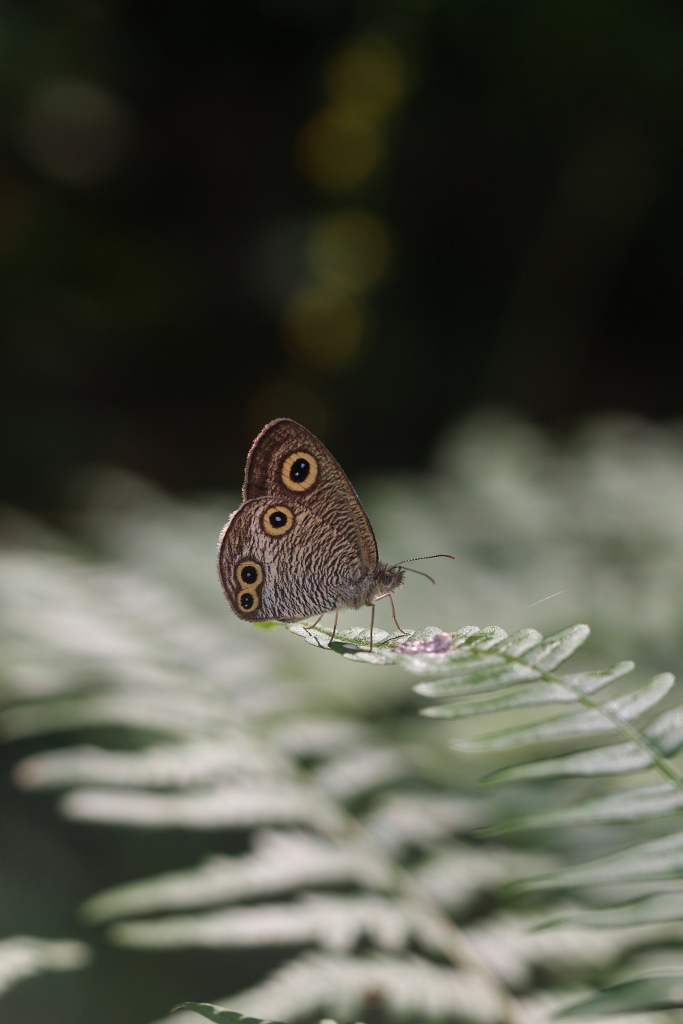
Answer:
[(302, 544)]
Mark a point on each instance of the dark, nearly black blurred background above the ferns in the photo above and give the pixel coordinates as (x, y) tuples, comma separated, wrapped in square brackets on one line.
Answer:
[(510, 174)]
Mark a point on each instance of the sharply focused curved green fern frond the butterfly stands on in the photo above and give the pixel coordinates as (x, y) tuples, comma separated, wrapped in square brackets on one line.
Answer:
[(486, 672)]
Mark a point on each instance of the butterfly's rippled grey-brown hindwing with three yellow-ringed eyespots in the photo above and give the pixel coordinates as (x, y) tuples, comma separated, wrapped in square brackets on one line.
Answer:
[(278, 561)]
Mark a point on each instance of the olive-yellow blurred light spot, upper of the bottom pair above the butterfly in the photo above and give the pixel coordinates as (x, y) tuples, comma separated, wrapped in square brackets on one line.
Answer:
[(350, 251)]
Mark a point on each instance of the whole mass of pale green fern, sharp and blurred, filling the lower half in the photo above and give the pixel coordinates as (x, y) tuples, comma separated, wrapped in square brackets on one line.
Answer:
[(366, 834)]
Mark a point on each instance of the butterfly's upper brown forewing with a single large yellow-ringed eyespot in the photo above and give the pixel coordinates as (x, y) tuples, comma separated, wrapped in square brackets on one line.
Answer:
[(288, 462)]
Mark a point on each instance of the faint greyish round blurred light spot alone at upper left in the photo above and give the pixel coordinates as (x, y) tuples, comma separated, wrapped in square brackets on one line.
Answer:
[(74, 132)]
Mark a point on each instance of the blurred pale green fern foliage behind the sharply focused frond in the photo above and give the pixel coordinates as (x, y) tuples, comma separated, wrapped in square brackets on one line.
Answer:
[(324, 814)]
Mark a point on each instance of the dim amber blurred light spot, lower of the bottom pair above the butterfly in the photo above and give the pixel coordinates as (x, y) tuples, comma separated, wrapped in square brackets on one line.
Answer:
[(323, 329)]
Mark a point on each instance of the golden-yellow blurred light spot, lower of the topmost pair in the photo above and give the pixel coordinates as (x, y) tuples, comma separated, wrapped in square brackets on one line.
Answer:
[(337, 150)]
